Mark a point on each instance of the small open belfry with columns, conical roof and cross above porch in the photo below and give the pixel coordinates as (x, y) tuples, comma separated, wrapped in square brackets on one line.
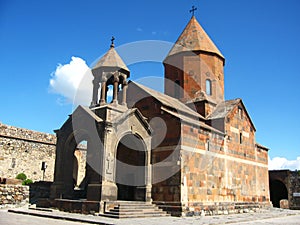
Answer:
[(110, 70)]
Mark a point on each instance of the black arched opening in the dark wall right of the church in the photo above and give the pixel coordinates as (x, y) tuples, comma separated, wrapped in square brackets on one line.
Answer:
[(278, 191)]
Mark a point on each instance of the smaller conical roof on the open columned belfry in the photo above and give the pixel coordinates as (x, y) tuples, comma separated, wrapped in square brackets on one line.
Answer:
[(111, 59)]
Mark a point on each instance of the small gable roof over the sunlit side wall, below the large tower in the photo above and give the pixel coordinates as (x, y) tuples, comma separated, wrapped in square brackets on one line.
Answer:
[(223, 109)]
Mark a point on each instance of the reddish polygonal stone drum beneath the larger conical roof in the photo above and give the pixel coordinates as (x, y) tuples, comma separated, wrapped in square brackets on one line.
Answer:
[(192, 70)]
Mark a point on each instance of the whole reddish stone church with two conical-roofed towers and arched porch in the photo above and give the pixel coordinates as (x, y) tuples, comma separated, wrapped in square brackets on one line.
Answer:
[(186, 150)]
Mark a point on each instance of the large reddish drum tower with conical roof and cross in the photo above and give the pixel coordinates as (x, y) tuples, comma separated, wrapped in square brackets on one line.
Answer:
[(194, 67)]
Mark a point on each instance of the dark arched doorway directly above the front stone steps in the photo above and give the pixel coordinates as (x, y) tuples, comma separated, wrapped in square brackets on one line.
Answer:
[(130, 169)]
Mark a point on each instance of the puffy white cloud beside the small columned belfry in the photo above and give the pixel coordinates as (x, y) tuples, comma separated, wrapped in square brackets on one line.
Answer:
[(73, 81)]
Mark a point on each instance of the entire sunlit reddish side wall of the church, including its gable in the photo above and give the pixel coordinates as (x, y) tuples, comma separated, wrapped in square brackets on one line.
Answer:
[(224, 170)]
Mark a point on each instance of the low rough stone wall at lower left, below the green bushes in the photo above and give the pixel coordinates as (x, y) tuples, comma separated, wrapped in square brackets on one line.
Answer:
[(13, 194)]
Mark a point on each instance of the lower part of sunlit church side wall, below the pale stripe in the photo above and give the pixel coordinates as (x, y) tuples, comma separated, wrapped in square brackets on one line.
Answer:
[(211, 178)]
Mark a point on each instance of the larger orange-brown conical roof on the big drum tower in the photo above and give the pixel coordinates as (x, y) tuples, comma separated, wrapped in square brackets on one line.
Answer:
[(194, 38)]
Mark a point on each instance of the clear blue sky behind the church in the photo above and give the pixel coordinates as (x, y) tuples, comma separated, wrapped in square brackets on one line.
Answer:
[(259, 39)]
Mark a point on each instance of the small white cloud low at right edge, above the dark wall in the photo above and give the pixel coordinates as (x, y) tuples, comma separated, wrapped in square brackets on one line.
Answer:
[(279, 163)]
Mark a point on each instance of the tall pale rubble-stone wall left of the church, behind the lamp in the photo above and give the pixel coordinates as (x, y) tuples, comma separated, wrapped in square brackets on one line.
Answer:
[(23, 151)]
